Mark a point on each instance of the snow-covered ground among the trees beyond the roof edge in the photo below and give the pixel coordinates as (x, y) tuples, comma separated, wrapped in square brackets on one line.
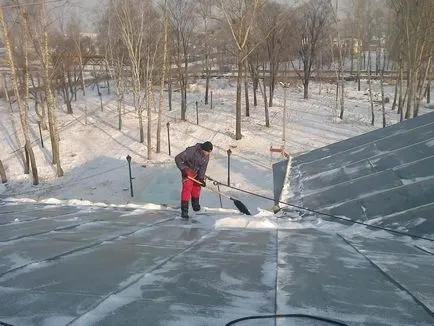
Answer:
[(94, 151)]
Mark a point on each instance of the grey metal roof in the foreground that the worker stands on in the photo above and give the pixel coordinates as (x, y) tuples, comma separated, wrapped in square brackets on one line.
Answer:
[(71, 265)]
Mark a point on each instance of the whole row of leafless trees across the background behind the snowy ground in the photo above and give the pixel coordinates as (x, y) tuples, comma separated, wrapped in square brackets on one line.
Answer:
[(146, 46)]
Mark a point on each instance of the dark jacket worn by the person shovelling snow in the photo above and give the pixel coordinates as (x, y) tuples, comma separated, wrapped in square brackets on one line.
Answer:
[(193, 159)]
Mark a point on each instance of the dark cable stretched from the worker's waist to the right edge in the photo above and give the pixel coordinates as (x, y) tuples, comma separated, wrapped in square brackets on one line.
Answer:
[(326, 214)]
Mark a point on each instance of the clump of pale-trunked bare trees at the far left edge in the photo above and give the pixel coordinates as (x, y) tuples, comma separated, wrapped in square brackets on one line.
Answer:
[(25, 39)]
